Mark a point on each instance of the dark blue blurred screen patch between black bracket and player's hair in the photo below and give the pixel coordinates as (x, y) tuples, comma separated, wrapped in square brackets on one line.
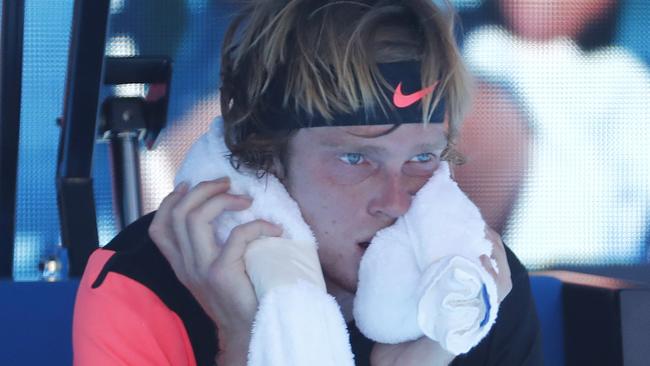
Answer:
[(191, 33)]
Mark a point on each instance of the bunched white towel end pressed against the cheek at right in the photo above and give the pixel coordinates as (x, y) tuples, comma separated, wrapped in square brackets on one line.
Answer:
[(423, 276)]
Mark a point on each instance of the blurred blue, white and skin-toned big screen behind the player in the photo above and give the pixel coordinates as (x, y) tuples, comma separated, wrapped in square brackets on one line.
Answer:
[(558, 142)]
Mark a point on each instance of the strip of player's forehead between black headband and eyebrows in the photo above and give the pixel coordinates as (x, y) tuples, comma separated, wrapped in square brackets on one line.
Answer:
[(406, 135)]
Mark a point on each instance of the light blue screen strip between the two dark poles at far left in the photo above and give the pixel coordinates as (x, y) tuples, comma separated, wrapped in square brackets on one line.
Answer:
[(46, 37)]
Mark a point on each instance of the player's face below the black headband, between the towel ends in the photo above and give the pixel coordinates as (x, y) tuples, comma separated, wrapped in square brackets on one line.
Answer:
[(349, 184)]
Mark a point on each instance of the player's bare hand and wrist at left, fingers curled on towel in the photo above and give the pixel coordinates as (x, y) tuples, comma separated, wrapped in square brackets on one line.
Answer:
[(213, 272)]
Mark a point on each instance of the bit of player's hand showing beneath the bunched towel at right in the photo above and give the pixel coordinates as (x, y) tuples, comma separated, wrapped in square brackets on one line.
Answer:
[(423, 351)]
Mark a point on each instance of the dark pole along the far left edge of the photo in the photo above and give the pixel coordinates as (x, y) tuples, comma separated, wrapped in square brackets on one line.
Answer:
[(11, 71)]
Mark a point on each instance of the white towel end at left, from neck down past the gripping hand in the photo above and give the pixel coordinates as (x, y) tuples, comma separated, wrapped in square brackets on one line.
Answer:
[(297, 322)]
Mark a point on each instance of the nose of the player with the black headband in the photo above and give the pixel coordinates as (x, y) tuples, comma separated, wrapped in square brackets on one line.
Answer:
[(393, 197)]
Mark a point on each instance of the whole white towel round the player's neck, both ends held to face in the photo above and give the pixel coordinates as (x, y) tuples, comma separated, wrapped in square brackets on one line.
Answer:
[(421, 276)]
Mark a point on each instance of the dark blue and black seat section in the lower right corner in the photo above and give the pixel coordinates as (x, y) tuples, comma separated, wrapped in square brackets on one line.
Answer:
[(592, 320)]
